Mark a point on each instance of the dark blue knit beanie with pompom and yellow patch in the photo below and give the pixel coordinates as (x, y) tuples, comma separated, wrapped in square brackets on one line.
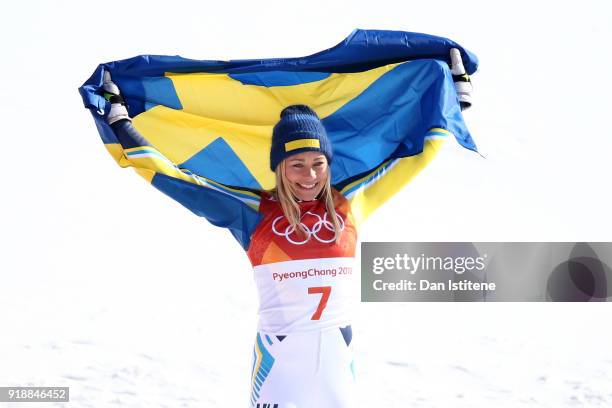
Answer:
[(298, 130)]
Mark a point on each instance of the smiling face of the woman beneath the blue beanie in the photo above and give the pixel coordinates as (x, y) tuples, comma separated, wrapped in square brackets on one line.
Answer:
[(306, 173)]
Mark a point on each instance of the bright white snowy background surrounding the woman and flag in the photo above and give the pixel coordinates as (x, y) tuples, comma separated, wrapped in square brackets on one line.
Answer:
[(111, 288)]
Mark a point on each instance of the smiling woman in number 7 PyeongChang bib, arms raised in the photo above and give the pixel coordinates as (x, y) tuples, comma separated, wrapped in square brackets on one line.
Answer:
[(300, 238)]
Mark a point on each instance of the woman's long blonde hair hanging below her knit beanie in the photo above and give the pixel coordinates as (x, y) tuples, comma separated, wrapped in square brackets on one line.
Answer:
[(288, 202)]
